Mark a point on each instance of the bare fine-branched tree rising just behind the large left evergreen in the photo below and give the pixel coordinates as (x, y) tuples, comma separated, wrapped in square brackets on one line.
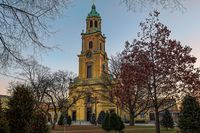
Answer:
[(38, 77)]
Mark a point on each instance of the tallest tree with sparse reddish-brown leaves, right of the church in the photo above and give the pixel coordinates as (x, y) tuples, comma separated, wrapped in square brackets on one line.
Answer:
[(158, 64)]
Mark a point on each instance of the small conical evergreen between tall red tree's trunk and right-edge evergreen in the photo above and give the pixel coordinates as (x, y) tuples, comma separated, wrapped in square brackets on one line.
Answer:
[(167, 120)]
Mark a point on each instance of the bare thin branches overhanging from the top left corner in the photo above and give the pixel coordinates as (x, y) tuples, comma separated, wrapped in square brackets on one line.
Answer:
[(23, 23)]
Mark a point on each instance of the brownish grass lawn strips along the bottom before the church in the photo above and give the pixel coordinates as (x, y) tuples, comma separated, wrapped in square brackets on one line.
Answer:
[(94, 129)]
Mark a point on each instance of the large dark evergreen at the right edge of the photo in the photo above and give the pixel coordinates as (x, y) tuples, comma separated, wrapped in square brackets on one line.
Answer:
[(189, 118)]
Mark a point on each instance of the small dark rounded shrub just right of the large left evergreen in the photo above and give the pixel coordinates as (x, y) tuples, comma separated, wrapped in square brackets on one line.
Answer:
[(39, 123)]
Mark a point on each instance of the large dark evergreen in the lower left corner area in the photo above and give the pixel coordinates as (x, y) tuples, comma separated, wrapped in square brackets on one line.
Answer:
[(21, 109)]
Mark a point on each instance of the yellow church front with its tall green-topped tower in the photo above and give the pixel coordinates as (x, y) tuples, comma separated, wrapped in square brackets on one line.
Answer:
[(93, 61)]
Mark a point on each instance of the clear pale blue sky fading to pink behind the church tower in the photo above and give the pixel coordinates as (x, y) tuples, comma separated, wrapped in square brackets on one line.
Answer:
[(118, 25)]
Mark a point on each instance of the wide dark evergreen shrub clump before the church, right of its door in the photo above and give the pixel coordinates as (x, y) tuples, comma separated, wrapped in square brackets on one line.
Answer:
[(112, 122)]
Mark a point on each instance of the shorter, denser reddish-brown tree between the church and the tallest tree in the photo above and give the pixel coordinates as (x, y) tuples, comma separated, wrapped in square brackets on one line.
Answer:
[(129, 91)]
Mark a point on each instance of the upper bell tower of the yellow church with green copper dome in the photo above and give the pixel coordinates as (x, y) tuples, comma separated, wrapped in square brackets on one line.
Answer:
[(93, 58)]
